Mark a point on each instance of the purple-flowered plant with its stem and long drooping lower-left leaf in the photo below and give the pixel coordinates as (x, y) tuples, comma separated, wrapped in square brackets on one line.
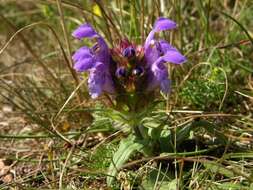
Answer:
[(130, 74)]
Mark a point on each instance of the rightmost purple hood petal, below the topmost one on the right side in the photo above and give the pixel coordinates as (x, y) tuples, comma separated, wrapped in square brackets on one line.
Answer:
[(174, 56)]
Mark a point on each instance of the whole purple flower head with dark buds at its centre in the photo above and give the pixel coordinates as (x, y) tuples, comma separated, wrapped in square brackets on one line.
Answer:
[(128, 67)]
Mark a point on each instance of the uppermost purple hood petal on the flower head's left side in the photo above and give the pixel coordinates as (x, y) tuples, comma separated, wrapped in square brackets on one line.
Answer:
[(84, 31)]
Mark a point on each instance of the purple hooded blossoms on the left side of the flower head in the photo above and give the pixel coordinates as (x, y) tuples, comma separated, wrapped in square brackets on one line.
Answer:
[(95, 60)]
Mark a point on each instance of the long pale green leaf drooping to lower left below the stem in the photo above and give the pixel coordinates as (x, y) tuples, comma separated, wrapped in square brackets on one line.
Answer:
[(127, 148)]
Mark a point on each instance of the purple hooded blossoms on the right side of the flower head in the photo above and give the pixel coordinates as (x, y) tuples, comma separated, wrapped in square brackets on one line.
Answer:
[(157, 53)]
